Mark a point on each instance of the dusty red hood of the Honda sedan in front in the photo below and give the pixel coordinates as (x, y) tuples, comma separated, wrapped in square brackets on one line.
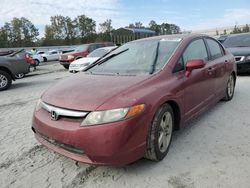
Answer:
[(87, 92)]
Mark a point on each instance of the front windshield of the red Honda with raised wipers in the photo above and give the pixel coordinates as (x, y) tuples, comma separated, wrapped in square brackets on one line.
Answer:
[(139, 57)]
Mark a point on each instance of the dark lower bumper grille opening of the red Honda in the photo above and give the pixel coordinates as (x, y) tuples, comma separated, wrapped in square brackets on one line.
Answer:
[(66, 147)]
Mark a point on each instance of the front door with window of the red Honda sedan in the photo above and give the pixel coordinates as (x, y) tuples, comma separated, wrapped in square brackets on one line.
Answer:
[(200, 85)]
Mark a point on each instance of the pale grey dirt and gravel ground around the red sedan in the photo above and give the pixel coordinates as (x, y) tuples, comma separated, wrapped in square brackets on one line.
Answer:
[(212, 151)]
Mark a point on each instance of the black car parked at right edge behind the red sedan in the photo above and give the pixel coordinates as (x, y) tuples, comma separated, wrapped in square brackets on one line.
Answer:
[(239, 46)]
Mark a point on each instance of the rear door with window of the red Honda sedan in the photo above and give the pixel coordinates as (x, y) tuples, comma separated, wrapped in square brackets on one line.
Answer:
[(218, 59)]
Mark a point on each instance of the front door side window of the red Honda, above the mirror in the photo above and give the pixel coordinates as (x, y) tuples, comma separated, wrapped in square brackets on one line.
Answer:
[(195, 50)]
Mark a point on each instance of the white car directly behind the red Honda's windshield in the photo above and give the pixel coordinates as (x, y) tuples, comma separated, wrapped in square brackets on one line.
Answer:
[(82, 63)]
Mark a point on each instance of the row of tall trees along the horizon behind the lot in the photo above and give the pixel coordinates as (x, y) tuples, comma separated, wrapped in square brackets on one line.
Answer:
[(64, 30)]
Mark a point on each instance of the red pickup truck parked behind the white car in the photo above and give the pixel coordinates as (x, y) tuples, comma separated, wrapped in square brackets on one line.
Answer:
[(80, 52)]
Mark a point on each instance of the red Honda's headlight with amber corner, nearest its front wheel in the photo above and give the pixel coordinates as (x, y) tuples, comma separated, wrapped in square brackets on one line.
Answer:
[(108, 116)]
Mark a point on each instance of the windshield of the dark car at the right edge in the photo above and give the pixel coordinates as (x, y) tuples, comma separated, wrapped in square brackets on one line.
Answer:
[(237, 41)]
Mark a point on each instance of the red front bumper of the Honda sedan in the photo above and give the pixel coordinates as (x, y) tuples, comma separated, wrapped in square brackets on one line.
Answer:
[(115, 144)]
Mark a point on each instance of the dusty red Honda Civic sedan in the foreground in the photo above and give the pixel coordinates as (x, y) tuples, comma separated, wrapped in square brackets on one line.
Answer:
[(128, 103)]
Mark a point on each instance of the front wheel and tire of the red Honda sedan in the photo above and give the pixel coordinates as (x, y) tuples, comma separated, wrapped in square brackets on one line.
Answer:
[(160, 134)]
